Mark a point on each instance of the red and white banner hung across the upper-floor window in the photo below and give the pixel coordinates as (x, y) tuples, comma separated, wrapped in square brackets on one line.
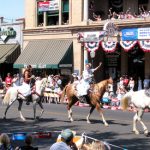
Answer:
[(52, 5)]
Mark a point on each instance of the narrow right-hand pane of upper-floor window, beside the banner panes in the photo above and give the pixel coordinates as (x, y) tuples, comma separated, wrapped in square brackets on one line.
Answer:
[(65, 11)]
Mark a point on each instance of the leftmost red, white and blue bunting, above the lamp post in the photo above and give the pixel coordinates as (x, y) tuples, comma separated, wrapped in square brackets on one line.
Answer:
[(91, 46)]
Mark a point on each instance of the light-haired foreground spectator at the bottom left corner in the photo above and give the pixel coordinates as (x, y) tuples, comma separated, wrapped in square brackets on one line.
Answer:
[(5, 143)]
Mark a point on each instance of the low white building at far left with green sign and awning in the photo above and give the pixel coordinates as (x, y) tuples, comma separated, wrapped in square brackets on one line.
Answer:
[(11, 44)]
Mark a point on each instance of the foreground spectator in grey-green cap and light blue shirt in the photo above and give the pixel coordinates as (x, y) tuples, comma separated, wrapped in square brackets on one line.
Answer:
[(66, 142)]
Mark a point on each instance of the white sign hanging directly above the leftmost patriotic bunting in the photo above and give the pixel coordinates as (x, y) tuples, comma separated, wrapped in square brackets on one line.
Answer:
[(96, 36)]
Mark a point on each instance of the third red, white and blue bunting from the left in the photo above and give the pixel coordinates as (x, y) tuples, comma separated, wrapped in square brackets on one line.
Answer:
[(127, 45)]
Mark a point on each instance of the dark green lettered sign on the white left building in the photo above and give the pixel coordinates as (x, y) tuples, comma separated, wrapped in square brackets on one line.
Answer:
[(7, 33)]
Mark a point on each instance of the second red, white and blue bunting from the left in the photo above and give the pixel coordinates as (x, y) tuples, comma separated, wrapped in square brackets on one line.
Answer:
[(109, 46)]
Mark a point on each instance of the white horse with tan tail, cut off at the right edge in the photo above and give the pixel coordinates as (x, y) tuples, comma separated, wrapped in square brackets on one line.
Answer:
[(140, 101)]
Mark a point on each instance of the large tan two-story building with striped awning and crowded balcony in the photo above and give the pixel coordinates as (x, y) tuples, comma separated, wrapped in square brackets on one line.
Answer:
[(52, 34)]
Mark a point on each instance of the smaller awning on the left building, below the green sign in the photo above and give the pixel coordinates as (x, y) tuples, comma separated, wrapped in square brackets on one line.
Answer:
[(9, 53)]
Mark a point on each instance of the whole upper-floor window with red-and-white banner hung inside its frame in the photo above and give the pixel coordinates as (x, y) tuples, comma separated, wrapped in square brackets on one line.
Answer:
[(51, 12)]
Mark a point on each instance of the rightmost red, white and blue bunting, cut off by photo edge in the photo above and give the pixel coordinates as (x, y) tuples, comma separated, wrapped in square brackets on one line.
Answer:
[(145, 45)]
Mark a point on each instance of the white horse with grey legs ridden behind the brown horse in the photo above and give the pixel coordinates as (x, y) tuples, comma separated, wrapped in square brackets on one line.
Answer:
[(12, 95)]
